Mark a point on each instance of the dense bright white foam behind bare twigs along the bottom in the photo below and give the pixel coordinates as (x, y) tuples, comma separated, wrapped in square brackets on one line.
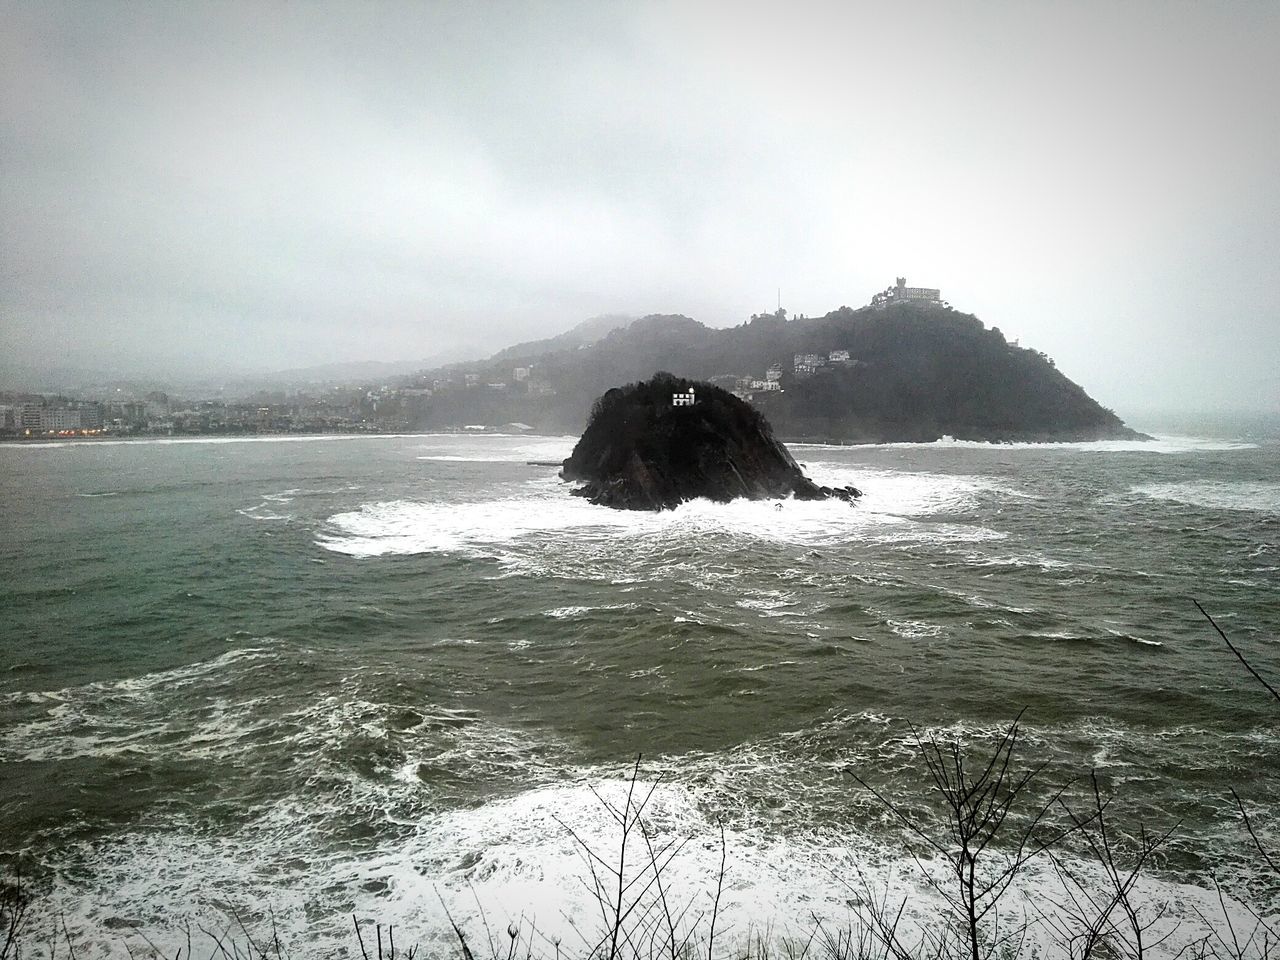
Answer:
[(523, 861)]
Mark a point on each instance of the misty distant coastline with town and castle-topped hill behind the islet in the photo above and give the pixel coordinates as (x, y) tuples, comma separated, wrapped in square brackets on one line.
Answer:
[(904, 368)]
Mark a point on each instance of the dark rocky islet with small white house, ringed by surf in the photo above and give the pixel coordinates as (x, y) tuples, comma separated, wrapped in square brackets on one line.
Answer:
[(665, 441)]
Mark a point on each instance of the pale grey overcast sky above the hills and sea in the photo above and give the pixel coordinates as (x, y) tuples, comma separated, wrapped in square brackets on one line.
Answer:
[(254, 186)]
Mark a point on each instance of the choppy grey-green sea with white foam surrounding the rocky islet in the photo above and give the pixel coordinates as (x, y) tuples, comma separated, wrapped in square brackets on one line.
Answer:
[(282, 683)]
